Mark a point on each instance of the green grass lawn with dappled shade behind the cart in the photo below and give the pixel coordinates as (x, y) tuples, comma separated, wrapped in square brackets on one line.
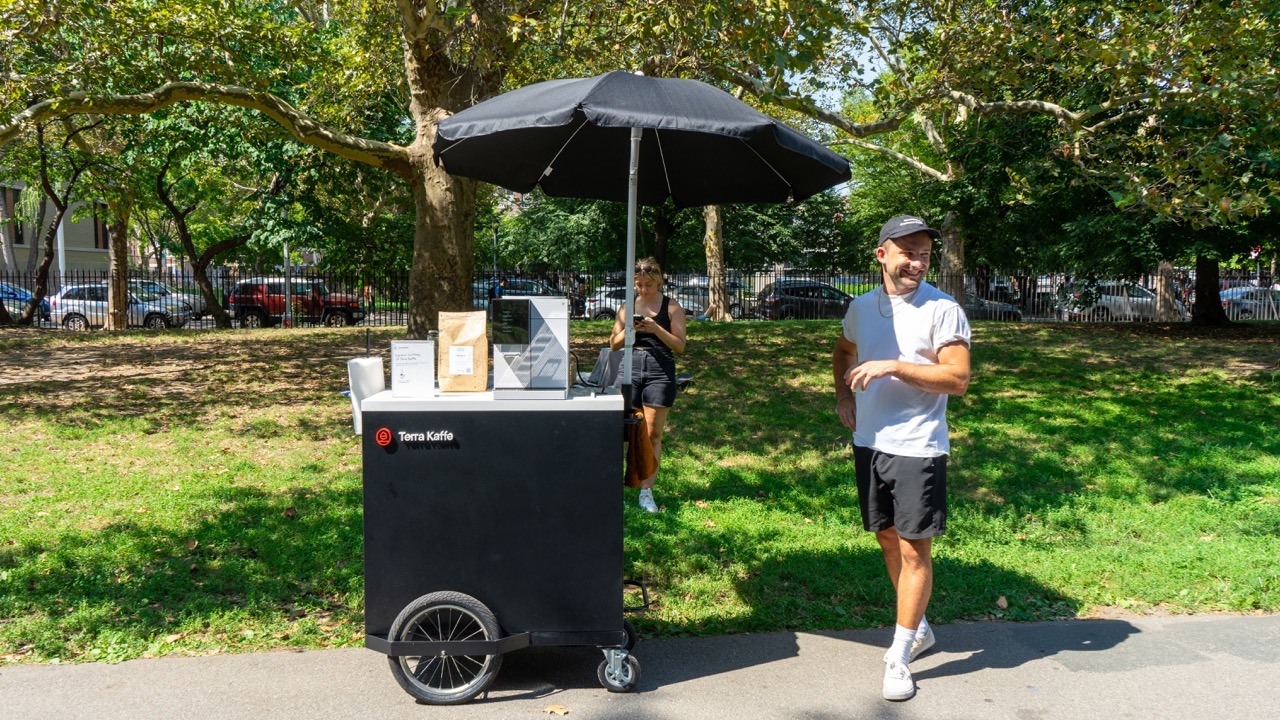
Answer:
[(199, 493)]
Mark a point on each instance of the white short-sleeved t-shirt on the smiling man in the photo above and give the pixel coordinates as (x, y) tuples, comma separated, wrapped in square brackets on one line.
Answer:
[(894, 417)]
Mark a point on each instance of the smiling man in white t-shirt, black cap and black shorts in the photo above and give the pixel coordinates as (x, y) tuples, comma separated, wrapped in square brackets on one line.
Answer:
[(904, 350)]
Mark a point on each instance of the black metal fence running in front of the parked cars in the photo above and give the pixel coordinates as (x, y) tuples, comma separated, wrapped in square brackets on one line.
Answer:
[(77, 299)]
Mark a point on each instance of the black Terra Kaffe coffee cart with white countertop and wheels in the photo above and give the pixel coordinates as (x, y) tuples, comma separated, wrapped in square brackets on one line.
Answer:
[(492, 526)]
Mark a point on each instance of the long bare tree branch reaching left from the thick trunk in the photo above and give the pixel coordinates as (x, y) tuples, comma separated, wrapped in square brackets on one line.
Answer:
[(300, 125)]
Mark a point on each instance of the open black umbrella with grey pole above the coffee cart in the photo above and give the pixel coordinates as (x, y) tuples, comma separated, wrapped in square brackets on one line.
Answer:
[(597, 138)]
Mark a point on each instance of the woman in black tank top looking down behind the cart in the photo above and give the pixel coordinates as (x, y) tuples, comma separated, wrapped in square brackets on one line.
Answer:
[(660, 338)]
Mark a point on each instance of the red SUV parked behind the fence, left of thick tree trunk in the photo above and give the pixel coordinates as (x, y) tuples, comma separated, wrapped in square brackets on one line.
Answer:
[(259, 303)]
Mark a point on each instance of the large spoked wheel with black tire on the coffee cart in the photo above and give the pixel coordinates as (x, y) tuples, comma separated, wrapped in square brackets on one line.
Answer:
[(444, 617)]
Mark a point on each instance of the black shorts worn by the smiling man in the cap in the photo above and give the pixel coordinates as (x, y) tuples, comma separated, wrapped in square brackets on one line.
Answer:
[(897, 491)]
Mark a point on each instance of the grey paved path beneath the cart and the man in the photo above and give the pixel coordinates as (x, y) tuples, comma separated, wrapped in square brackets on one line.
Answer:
[(1158, 668)]
